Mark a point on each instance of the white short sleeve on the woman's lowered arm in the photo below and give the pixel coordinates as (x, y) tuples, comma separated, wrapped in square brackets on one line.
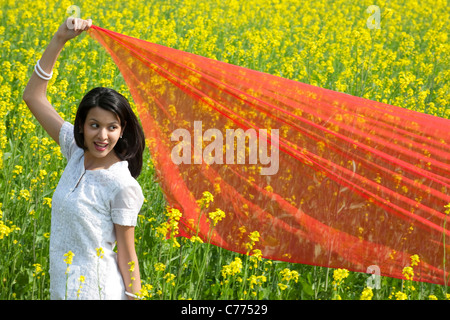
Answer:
[(126, 204)]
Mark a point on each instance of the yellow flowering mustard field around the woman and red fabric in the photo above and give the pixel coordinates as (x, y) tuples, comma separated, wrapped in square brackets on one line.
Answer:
[(396, 52)]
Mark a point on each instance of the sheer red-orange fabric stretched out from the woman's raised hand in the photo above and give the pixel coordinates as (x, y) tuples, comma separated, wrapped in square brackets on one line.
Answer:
[(325, 178)]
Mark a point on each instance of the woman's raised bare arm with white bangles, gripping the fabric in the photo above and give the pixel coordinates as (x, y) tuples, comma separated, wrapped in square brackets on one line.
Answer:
[(35, 94)]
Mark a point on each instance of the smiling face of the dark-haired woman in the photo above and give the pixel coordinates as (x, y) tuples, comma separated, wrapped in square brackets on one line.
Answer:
[(101, 132)]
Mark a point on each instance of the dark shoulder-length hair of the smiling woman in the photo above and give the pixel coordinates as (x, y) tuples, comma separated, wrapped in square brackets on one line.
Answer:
[(131, 146)]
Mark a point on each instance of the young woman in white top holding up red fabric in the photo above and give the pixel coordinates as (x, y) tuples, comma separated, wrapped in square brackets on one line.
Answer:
[(96, 202)]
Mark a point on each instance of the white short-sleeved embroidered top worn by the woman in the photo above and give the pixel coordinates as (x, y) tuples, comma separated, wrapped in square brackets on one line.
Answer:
[(86, 204)]
